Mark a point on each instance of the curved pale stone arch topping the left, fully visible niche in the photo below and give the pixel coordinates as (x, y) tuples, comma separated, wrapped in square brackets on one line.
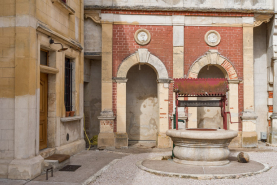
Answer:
[(142, 56)]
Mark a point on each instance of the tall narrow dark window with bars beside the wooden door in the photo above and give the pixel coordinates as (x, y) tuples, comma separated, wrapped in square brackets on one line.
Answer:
[(68, 85)]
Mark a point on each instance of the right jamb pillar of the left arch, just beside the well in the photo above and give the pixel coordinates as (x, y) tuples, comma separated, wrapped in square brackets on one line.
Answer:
[(163, 141)]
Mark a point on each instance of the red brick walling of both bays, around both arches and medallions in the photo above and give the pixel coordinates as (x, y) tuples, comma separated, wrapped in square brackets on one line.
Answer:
[(231, 47)]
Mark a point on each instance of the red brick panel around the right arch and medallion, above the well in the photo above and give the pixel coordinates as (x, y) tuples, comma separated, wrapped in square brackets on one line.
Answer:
[(231, 47)]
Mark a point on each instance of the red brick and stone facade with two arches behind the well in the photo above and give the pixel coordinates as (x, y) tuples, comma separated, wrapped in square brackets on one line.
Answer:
[(178, 30)]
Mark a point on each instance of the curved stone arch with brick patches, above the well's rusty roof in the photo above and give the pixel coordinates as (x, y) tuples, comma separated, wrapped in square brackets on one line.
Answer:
[(212, 57)]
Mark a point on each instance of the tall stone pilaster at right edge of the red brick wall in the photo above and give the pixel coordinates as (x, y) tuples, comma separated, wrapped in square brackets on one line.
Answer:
[(249, 135)]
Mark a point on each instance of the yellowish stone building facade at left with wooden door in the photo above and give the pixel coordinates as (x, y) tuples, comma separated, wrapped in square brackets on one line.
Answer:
[(26, 27)]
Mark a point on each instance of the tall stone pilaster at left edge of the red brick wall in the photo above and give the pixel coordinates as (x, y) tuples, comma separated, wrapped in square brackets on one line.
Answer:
[(106, 136)]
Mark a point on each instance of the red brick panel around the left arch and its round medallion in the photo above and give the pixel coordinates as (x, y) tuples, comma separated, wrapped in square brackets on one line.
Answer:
[(160, 45)]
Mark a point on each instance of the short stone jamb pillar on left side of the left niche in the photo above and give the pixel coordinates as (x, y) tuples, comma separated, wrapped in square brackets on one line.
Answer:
[(121, 137)]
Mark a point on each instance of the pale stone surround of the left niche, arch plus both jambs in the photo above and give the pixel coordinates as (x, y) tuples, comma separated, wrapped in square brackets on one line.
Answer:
[(144, 57)]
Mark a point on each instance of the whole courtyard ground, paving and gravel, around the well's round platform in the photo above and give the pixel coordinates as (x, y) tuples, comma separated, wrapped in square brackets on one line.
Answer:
[(114, 167)]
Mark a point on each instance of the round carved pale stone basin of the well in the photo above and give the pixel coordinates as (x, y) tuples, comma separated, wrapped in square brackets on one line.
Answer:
[(201, 147)]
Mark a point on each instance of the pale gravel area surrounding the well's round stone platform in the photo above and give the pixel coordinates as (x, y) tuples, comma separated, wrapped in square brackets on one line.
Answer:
[(126, 172)]
